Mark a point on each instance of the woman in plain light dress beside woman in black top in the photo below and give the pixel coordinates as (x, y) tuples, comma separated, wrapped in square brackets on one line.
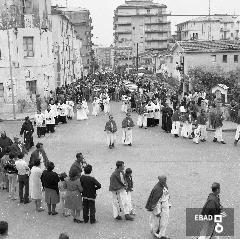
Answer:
[(35, 185)]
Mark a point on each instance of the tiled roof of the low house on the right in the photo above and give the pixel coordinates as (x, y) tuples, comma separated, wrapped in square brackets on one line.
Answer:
[(208, 46)]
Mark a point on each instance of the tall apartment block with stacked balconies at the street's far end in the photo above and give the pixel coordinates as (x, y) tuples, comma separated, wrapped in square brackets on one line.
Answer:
[(140, 24)]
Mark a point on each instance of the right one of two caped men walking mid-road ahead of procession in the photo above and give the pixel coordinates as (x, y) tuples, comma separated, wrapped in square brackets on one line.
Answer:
[(127, 126)]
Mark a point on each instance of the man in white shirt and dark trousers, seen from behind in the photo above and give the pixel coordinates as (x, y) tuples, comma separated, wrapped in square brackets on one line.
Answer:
[(23, 178)]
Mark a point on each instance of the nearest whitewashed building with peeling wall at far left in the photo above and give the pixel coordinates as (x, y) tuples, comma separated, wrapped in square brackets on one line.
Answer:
[(30, 46)]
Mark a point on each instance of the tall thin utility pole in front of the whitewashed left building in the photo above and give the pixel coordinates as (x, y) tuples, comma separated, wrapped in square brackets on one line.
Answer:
[(10, 62)]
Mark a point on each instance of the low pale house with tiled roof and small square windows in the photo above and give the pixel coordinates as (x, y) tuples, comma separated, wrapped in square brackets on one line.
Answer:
[(215, 55)]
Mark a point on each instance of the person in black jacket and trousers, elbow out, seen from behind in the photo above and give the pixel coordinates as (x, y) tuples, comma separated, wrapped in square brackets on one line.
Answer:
[(89, 185)]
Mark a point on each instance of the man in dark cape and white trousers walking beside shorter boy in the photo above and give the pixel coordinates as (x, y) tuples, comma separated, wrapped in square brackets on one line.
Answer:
[(119, 193)]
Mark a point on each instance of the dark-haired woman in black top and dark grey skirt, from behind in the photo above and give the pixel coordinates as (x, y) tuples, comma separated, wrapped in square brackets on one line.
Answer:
[(50, 181)]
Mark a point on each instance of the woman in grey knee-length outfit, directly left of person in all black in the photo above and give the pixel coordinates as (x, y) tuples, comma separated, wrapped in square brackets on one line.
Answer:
[(73, 198)]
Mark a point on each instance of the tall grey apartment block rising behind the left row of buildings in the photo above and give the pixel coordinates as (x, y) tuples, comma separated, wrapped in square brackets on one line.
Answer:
[(82, 23)]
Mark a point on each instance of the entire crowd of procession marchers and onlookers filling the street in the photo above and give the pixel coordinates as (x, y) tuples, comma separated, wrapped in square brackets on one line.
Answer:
[(75, 192)]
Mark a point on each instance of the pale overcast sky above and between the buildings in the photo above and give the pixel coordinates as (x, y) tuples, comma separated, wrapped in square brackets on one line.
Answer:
[(102, 12)]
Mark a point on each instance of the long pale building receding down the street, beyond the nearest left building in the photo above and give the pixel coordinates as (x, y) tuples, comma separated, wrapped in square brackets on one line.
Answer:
[(68, 65)]
